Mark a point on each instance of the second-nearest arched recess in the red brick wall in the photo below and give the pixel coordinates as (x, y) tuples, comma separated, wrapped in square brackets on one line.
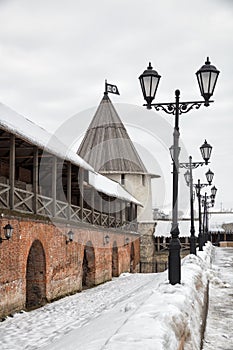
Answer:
[(88, 266)]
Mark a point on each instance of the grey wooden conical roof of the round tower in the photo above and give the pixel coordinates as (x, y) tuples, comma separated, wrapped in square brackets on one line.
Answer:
[(106, 145)]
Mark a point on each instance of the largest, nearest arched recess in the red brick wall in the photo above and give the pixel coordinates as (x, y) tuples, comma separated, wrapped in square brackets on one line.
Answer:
[(36, 276)]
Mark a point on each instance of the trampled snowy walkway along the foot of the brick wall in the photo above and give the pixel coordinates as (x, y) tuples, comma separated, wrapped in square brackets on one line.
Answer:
[(55, 321)]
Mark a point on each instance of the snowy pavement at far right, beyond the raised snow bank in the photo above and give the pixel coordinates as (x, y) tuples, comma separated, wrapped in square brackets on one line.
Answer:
[(219, 333)]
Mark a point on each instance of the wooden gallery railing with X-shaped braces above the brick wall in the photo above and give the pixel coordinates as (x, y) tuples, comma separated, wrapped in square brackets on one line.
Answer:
[(27, 202)]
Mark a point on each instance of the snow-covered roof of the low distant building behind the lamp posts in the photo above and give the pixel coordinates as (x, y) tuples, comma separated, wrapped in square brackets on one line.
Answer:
[(163, 228)]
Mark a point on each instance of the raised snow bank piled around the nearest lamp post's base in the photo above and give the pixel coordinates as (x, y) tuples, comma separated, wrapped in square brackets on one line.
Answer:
[(172, 317)]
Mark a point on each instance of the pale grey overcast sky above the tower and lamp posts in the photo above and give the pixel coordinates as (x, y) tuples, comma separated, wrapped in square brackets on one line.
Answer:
[(56, 54)]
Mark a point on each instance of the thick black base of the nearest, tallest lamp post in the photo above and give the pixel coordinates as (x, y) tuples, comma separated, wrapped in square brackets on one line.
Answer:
[(174, 273)]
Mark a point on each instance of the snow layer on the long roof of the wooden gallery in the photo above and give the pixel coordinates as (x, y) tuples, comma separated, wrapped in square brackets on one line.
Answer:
[(24, 128)]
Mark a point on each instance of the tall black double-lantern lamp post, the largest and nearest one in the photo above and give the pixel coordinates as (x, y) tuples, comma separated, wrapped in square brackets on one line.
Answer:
[(207, 77)]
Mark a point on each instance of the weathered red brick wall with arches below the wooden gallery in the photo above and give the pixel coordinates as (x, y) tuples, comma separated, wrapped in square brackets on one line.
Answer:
[(62, 268)]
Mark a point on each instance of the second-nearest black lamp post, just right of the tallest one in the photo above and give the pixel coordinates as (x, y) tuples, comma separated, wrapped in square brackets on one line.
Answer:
[(206, 150)]
